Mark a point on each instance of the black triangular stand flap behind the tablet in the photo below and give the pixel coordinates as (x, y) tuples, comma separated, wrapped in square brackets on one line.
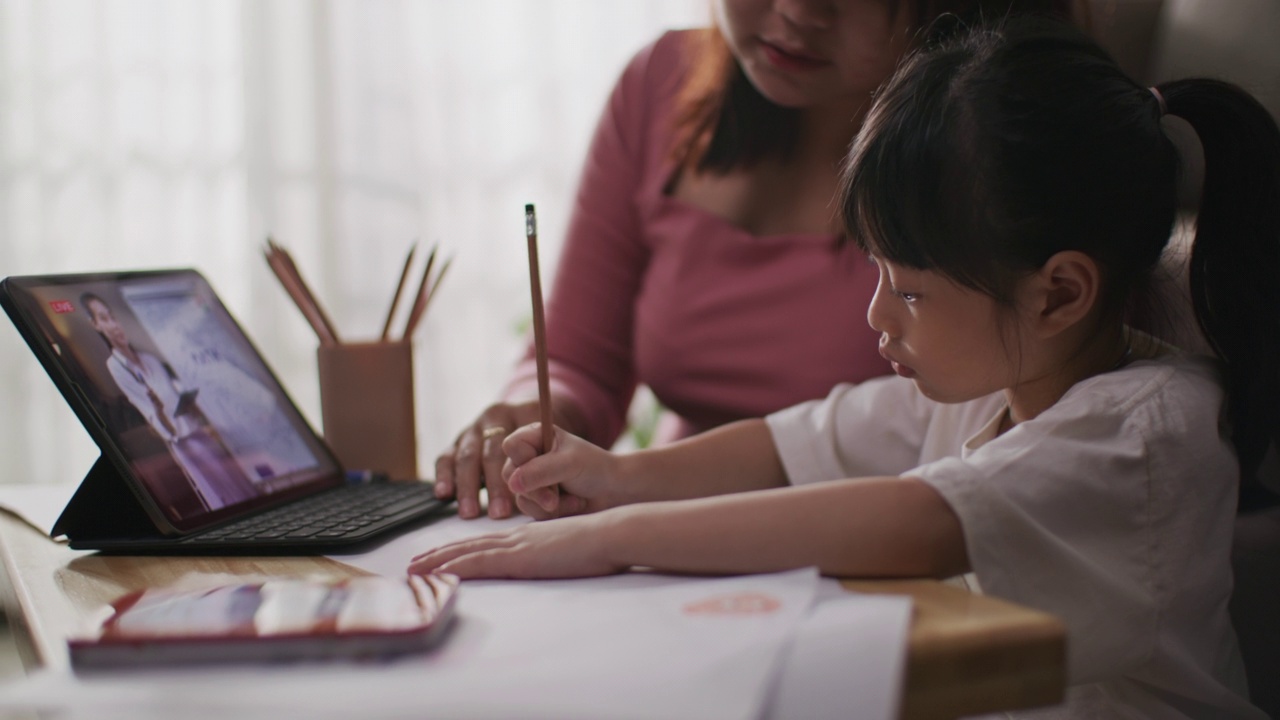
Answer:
[(104, 508)]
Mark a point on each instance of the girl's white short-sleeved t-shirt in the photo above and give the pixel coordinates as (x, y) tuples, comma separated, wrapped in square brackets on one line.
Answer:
[(1112, 511)]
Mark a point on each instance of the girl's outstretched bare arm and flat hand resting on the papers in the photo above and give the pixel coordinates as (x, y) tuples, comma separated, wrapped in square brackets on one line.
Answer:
[(870, 527)]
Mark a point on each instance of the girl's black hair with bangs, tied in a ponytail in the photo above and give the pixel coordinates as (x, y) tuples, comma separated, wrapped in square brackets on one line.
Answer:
[(994, 151)]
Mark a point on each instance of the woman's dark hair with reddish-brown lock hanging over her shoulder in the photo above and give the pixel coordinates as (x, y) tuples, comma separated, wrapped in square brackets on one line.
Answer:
[(723, 121)]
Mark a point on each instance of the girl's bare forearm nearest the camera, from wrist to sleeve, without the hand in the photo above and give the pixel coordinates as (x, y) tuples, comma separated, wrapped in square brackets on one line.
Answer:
[(866, 527)]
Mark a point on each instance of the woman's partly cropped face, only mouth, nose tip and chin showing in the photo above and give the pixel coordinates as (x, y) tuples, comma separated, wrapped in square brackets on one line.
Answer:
[(813, 53)]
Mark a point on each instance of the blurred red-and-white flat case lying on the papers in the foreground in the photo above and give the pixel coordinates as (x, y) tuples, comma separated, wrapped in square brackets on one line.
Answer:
[(277, 621)]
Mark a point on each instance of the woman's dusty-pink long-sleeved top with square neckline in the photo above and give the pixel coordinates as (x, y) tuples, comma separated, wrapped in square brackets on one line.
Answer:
[(720, 323)]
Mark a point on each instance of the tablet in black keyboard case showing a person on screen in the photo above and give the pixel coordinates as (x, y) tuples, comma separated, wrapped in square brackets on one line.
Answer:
[(203, 452)]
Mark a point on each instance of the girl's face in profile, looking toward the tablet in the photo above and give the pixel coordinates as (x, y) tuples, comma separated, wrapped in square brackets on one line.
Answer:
[(944, 336)]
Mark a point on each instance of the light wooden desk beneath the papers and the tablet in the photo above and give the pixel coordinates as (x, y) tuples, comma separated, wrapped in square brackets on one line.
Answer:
[(968, 654)]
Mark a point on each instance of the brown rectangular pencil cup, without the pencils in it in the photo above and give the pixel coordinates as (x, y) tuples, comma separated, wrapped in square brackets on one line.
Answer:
[(367, 405)]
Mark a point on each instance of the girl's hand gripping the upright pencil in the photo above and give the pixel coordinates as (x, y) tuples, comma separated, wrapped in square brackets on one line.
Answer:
[(573, 479)]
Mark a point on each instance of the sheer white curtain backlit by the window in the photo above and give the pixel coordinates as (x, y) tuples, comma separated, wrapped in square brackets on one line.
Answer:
[(147, 134)]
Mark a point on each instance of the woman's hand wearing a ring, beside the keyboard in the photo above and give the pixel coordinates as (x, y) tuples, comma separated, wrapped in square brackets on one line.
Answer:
[(477, 461)]
